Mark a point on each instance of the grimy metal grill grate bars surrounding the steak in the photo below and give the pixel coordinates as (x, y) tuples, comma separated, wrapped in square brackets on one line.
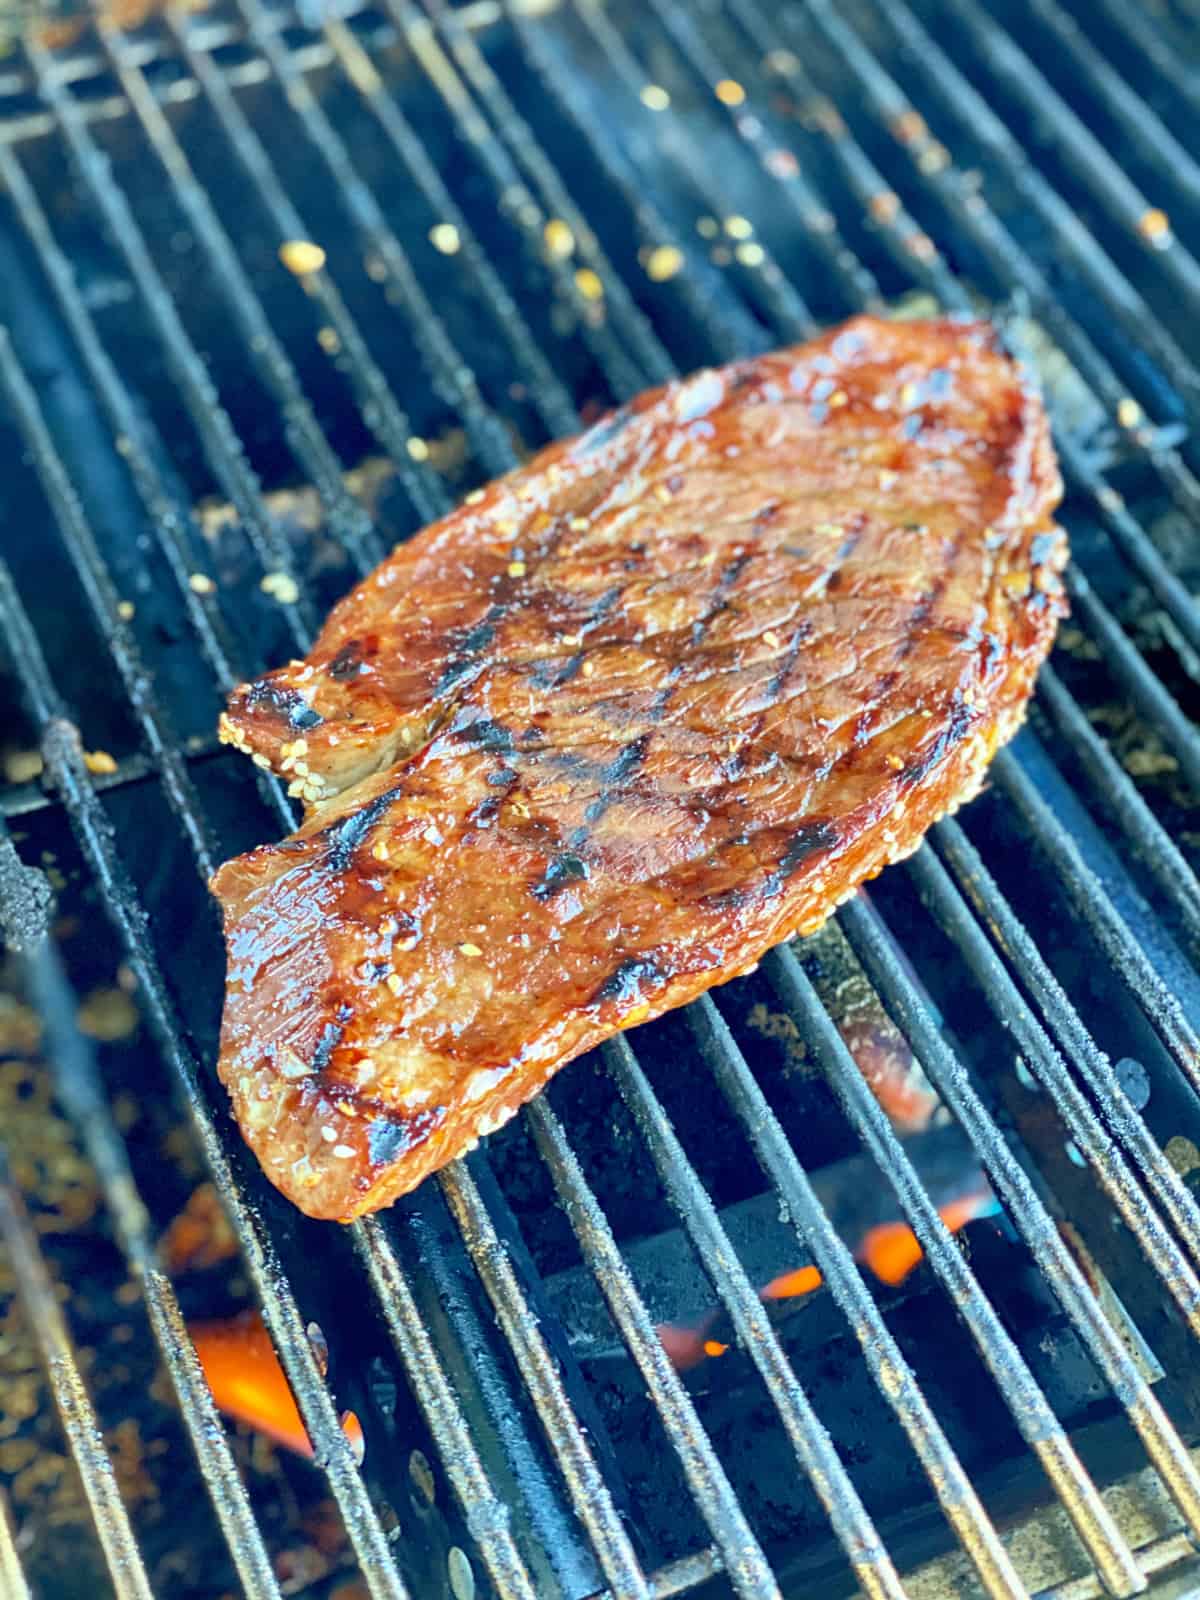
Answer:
[(932, 226)]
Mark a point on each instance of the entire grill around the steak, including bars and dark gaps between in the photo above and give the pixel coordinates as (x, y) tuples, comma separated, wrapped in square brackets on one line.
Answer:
[(529, 215)]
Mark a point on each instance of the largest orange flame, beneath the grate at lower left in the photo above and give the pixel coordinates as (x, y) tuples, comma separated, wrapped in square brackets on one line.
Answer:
[(247, 1380)]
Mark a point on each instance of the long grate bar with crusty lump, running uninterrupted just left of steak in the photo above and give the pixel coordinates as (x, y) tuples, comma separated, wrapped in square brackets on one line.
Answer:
[(65, 766)]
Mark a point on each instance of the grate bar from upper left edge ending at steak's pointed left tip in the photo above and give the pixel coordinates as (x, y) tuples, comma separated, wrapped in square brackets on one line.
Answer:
[(167, 518)]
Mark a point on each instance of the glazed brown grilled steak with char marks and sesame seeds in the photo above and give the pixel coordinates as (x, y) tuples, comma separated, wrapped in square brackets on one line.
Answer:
[(626, 719)]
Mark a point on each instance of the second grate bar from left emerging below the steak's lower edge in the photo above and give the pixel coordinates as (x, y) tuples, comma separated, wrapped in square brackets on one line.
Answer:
[(586, 1484)]
